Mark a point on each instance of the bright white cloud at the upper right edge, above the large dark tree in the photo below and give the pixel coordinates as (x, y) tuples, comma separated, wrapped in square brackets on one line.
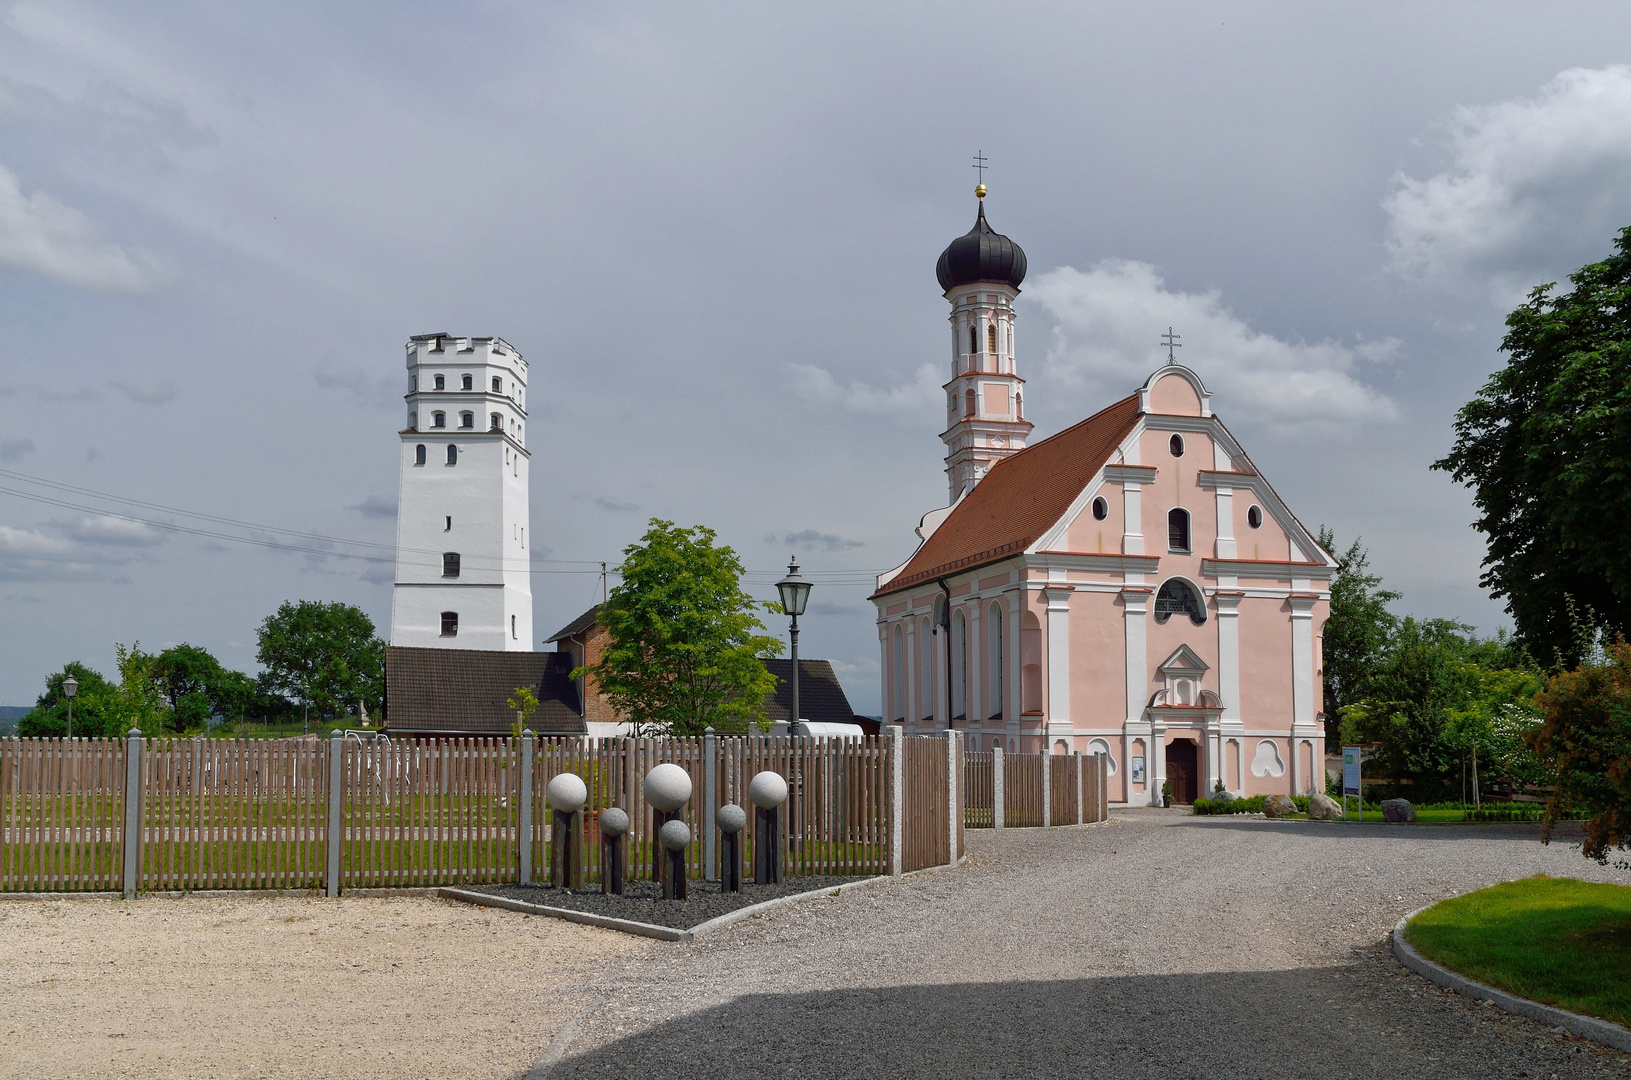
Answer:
[(1536, 187)]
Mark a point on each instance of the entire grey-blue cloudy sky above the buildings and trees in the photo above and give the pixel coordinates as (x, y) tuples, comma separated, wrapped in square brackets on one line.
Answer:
[(712, 231)]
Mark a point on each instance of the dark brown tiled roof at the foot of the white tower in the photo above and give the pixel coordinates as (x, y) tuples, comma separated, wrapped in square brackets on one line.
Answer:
[(464, 691)]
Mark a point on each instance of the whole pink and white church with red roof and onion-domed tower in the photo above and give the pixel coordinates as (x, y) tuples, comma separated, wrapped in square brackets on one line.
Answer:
[(1131, 586)]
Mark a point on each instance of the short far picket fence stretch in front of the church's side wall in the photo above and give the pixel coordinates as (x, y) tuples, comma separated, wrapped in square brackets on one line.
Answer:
[(1033, 790)]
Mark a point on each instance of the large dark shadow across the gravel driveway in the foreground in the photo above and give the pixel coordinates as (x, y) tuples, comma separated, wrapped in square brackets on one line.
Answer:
[(1361, 1020)]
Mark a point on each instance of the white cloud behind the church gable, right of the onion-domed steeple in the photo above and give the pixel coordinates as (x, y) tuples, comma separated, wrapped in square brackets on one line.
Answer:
[(1105, 340)]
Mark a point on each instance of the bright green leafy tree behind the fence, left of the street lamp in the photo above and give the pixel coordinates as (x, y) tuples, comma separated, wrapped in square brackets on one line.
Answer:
[(684, 637)]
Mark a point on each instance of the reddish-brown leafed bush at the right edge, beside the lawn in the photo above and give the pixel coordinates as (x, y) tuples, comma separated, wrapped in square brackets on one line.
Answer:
[(1586, 738)]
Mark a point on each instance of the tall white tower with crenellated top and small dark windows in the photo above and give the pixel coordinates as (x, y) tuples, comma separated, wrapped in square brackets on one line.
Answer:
[(464, 578)]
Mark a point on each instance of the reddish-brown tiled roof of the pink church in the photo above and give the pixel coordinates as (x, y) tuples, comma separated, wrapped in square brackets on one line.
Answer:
[(1020, 500)]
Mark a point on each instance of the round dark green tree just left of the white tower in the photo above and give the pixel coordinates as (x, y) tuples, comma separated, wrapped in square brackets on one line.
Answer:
[(324, 657)]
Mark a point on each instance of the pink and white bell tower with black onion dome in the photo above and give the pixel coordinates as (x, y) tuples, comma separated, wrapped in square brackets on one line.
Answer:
[(981, 275)]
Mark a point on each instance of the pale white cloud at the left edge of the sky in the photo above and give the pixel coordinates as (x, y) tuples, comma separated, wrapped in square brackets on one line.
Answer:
[(45, 237)]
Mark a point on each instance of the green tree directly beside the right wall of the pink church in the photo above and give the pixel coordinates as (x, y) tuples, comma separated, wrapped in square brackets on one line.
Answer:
[(1358, 634)]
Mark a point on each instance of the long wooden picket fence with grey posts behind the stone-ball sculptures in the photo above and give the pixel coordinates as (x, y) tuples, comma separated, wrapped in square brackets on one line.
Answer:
[(347, 813)]
